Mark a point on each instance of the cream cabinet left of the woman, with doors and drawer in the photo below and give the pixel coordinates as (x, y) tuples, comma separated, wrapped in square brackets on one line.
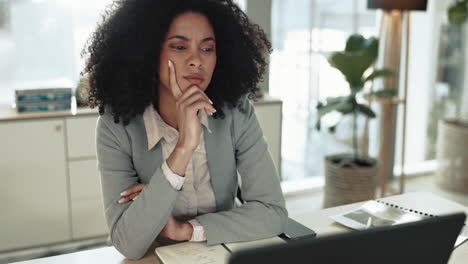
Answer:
[(50, 182)]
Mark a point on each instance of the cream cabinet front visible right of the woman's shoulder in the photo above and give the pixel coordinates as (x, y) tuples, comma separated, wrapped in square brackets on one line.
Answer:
[(269, 116)]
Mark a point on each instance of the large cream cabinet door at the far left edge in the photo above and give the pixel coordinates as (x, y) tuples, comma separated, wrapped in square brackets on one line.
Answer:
[(33, 189)]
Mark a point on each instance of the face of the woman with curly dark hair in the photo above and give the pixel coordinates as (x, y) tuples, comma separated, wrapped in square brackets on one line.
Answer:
[(190, 44)]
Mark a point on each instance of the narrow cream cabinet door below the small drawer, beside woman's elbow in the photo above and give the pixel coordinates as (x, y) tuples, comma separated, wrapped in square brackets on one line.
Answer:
[(86, 200)]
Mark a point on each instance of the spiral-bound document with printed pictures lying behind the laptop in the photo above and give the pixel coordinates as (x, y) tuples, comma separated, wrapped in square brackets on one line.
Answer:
[(378, 213)]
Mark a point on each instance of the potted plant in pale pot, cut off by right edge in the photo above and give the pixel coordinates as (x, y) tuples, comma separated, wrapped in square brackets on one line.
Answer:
[(452, 132)]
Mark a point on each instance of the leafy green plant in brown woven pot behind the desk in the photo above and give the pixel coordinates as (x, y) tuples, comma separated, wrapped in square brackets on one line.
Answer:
[(351, 177)]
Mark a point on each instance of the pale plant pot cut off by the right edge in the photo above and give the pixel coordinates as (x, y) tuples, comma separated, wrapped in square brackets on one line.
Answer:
[(452, 155)]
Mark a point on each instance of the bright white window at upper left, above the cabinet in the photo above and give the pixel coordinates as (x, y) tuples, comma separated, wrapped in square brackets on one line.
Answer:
[(43, 44)]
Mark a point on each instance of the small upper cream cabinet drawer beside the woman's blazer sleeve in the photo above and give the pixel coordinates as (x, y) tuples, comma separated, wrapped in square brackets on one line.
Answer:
[(81, 133)]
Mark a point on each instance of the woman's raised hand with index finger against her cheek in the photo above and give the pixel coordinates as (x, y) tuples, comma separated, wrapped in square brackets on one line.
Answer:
[(188, 104)]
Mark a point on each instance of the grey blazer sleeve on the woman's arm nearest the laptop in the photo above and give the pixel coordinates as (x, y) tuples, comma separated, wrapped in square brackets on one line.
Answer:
[(264, 214)]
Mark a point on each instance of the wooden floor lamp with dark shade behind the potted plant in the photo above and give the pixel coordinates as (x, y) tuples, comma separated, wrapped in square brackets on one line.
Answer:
[(395, 19)]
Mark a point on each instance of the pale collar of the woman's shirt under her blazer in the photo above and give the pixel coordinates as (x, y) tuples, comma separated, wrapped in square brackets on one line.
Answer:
[(156, 128)]
